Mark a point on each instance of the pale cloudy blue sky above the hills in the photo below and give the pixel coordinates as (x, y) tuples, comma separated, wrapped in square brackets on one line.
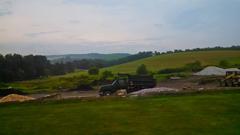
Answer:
[(113, 26)]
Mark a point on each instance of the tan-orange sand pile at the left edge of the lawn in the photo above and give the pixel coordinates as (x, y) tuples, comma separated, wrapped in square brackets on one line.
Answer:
[(15, 98)]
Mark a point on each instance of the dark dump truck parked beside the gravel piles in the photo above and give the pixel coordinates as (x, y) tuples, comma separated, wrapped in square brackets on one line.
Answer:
[(129, 82)]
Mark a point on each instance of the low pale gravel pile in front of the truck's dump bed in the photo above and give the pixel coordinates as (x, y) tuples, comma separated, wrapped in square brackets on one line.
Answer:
[(153, 91)]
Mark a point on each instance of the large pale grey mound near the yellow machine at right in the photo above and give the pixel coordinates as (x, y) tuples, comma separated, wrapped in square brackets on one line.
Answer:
[(211, 71)]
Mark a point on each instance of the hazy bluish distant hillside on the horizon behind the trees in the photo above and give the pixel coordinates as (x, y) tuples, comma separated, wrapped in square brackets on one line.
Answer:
[(72, 57)]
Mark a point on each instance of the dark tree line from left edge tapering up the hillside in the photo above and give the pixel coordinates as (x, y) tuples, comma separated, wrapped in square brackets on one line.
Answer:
[(15, 67)]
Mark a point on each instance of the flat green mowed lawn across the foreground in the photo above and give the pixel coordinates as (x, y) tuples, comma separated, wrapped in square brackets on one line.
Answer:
[(199, 114)]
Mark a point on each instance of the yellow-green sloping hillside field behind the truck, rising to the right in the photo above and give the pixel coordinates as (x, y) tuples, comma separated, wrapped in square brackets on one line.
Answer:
[(179, 59)]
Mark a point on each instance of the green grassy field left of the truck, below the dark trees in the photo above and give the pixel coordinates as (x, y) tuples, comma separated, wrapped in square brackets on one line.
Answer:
[(54, 83)]
